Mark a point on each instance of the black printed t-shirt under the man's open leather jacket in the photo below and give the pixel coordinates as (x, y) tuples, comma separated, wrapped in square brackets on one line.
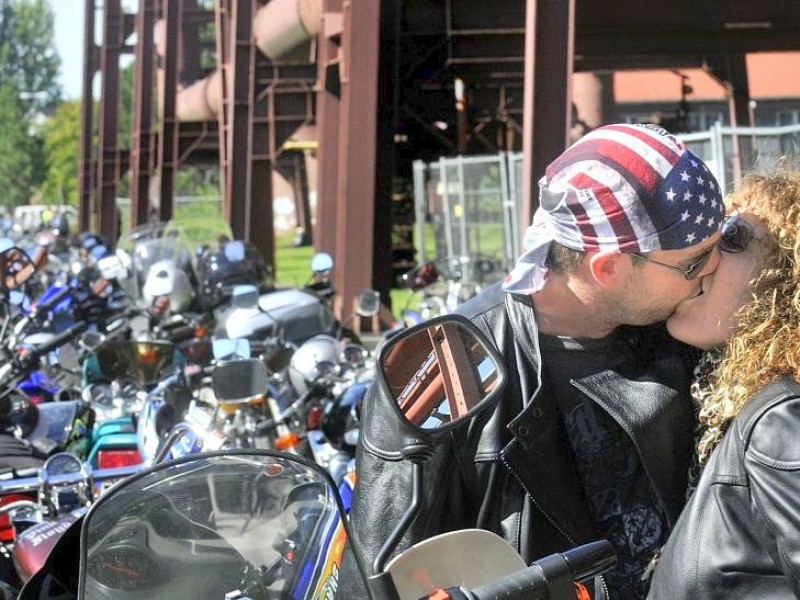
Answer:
[(618, 490)]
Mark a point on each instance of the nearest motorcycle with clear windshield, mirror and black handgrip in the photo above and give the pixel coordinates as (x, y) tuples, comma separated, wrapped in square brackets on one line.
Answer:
[(259, 524)]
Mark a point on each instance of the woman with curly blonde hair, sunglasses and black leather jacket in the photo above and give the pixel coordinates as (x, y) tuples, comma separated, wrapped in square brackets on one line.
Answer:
[(739, 535)]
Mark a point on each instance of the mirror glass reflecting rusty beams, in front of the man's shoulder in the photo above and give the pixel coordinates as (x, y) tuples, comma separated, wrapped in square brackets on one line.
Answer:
[(439, 374)]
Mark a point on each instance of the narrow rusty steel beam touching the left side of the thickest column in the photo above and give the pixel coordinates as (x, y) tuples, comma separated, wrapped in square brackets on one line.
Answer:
[(328, 103)]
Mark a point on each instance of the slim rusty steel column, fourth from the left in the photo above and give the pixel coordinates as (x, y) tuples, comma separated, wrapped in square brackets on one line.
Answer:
[(171, 11)]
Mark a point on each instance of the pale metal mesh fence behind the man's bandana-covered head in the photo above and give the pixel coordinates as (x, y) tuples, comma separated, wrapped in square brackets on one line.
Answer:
[(469, 208)]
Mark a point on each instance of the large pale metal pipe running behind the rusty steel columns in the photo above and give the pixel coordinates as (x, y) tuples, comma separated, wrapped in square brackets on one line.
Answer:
[(278, 28)]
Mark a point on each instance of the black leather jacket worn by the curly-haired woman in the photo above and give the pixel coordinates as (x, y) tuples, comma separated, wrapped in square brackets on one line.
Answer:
[(739, 536)]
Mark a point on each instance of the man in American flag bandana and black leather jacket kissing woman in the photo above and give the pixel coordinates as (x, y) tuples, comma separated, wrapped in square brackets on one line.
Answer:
[(592, 437)]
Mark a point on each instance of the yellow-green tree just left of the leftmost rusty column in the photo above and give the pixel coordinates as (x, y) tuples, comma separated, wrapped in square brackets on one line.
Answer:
[(61, 133)]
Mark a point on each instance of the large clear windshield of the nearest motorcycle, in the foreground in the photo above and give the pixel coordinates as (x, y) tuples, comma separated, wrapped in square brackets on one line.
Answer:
[(260, 523)]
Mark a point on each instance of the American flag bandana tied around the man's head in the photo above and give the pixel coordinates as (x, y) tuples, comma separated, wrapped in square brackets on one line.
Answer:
[(620, 188)]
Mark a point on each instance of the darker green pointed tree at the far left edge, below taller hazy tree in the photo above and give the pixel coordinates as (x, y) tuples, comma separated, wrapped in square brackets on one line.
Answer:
[(18, 150)]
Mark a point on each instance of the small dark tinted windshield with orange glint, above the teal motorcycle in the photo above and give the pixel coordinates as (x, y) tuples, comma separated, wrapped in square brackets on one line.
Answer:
[(144, 361)]
